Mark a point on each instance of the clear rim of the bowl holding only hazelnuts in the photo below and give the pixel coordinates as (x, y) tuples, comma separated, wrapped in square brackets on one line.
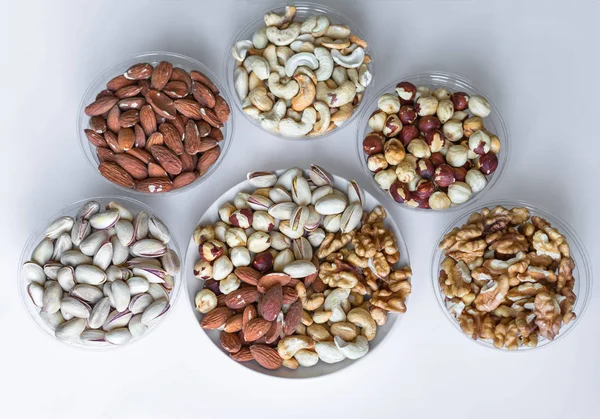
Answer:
[(464, 83)]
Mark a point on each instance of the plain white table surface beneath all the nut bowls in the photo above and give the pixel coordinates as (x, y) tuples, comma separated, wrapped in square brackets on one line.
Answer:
[(539, 62)]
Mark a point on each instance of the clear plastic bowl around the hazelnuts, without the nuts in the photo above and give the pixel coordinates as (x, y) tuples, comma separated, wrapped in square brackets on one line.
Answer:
[(494, 123)]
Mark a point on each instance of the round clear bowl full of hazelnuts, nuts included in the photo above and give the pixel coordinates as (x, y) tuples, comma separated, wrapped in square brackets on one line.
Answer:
[(433, 141)]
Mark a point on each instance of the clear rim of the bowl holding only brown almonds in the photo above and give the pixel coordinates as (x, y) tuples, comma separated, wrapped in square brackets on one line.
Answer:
[(109, 73)]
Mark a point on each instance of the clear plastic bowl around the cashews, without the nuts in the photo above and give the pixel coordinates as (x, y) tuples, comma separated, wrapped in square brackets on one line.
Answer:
[(304, 10)]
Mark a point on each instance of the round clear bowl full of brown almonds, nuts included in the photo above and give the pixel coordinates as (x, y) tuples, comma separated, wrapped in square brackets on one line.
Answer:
[(155, 123)]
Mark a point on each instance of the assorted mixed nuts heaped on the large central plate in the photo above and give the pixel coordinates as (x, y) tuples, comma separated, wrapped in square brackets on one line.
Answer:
[(296, 271)]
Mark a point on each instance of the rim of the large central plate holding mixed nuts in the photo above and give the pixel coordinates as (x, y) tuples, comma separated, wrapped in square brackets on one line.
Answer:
[(393, 328)]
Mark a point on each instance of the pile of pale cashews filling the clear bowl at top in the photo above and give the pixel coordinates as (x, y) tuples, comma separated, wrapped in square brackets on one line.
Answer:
[(301, 78)]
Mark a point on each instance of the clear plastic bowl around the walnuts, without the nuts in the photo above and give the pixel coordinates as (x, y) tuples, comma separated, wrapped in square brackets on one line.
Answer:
[(582, 272)]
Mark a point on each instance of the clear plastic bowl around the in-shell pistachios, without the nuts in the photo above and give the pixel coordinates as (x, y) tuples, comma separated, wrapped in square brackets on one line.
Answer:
[(37, 236)]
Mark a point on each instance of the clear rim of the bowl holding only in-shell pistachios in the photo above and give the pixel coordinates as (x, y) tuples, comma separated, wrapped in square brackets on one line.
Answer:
[(37, 235)]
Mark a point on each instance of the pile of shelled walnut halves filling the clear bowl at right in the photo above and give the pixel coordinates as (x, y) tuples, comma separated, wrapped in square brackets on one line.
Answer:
[(508, 278)]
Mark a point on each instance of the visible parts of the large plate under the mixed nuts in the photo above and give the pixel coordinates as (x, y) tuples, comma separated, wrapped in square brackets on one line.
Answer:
[(194, 285)]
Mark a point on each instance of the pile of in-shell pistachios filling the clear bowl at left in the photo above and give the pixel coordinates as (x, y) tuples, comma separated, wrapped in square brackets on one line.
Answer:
[(102, 277)]
